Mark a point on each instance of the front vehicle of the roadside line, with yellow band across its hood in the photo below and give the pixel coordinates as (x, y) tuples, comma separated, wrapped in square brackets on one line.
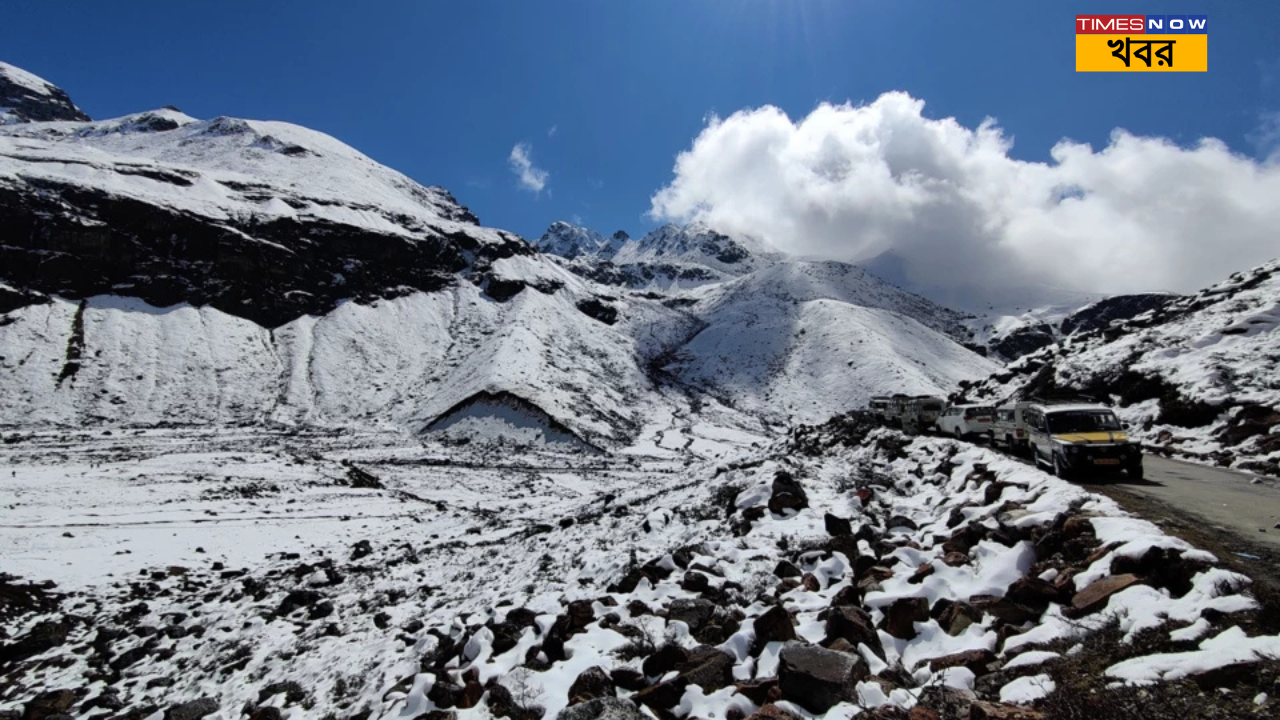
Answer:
[(1075, 439)]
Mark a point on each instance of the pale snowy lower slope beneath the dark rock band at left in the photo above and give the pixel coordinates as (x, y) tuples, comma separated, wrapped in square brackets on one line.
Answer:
[(391, 363)]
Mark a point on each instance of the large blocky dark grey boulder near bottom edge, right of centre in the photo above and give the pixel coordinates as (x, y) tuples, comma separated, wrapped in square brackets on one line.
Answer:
[(817, 678)]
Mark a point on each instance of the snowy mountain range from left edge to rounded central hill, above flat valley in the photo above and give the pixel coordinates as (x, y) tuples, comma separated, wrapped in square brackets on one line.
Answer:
[(164, 270)]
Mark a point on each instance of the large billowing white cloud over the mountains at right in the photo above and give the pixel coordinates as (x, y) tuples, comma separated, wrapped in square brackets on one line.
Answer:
[(854, 183)]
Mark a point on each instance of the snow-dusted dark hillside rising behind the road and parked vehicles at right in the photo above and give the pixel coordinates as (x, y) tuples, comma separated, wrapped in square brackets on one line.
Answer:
[(1196, 376)]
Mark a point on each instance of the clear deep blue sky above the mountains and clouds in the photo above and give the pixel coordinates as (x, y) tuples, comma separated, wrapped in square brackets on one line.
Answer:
[(444, 92)]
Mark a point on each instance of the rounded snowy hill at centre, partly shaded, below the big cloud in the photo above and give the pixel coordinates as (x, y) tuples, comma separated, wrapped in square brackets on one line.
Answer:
[(804, 340)]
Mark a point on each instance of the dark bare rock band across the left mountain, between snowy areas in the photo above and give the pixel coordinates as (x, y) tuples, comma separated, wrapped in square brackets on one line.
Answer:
[(79, 243)]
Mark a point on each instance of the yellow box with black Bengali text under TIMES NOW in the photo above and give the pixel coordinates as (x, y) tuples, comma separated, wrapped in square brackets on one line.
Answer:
[(1190, 53)]
